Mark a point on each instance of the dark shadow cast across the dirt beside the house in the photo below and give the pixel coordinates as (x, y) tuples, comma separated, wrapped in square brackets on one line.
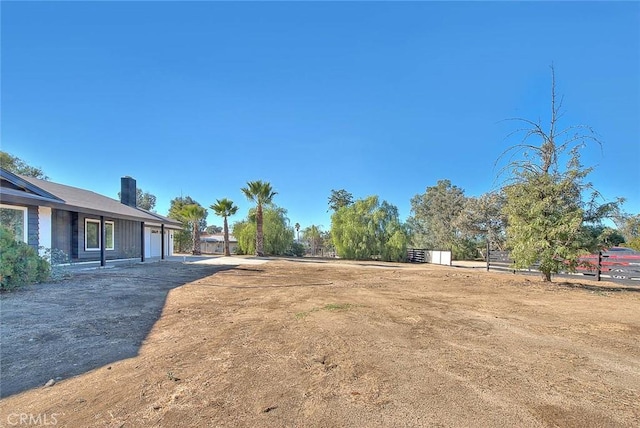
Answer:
[(59, 330)]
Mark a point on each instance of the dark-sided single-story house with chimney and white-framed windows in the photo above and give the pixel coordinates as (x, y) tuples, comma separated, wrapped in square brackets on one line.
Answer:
[(85, 226)]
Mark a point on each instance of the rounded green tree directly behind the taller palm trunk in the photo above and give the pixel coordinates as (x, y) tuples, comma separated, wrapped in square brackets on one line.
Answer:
[(278, 234)]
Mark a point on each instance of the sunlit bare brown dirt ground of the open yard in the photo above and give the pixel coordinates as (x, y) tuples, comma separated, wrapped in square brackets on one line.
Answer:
[(306, 344)]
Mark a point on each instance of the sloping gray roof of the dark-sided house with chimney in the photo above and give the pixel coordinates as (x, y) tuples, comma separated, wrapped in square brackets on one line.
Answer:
[(29, 190)]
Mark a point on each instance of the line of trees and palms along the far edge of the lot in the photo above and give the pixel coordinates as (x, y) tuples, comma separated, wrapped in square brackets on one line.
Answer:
[(545, 211)]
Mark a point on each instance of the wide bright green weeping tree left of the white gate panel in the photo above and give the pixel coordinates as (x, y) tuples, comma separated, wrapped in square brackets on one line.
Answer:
[(368, 229)]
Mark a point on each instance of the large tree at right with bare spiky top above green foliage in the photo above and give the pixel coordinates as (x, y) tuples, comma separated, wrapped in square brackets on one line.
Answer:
[(544, 199)]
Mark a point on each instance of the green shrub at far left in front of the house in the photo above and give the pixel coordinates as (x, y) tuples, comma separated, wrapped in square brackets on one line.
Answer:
[(19, 263)]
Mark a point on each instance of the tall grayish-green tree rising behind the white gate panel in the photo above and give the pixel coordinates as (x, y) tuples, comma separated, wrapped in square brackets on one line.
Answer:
[(433, 218)]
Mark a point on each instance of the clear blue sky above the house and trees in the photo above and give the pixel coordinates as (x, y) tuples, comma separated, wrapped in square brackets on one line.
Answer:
[(381, 98)]
